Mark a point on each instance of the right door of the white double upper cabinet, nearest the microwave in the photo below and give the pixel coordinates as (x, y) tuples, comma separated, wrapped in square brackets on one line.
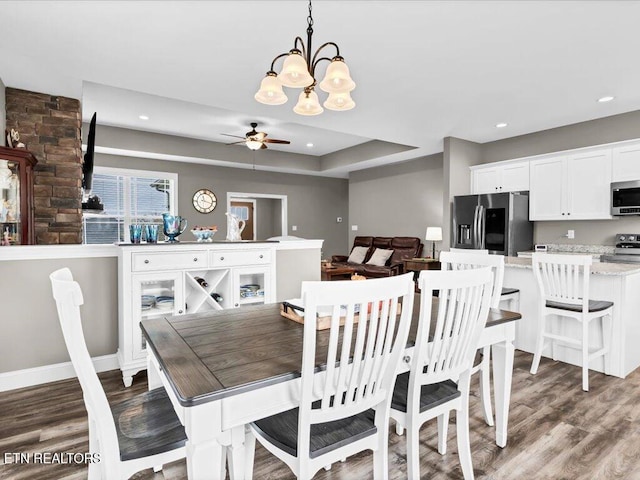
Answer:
[(588, 185)]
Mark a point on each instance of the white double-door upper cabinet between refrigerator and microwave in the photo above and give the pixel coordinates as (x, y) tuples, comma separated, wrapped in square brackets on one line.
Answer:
[(574, 186)]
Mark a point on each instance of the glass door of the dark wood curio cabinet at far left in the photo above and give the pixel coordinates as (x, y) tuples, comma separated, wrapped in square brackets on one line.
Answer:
[(10, 220)]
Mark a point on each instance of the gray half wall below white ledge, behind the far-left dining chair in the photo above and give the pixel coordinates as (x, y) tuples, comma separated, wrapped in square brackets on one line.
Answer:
[(31, 335)]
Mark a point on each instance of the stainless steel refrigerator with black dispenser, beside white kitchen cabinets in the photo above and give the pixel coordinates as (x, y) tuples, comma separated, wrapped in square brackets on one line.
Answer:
[(498, 222)]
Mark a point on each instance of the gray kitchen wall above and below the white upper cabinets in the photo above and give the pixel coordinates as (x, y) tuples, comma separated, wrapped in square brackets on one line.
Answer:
[(595, 132)]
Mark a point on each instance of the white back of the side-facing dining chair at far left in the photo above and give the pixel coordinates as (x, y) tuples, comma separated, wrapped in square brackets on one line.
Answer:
[(68, 297)]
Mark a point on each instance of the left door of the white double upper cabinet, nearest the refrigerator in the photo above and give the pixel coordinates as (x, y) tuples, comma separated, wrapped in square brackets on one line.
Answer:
[(547, 190)]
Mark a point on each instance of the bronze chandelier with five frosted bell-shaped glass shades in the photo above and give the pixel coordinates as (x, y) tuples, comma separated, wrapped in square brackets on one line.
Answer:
[(298, 71)]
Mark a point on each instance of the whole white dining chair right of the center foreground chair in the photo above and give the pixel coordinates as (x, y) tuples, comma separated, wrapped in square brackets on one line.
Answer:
[(438, 381)]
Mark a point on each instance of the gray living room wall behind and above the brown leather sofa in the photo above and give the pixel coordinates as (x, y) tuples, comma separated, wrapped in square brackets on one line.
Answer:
[(396, 200)]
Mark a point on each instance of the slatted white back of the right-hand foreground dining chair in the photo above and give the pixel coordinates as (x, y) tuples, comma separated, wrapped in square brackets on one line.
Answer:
[(464, 301)]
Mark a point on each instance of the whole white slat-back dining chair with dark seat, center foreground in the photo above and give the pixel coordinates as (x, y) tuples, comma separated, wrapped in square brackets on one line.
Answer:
[(344, 405)]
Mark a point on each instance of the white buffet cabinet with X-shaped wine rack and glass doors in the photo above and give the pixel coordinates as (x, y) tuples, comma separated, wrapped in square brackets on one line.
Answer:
[(182, 278)]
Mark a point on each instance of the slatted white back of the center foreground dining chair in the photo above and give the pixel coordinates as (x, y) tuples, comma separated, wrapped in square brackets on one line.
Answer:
[(358, 369)]
